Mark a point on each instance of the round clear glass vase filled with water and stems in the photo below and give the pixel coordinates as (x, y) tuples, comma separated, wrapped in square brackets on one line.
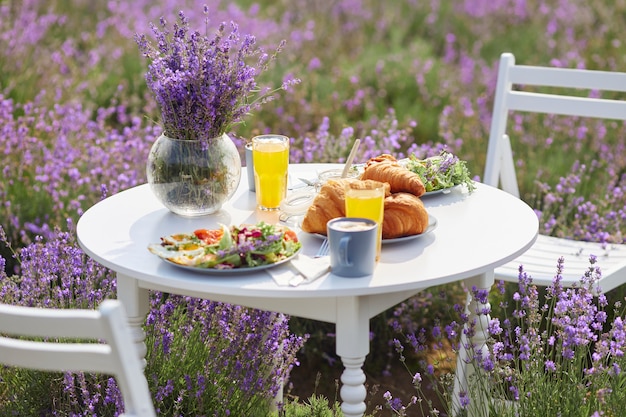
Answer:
[(193, 177)]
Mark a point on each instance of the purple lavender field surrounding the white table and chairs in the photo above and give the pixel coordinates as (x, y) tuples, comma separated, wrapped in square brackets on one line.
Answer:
[(404, 76)]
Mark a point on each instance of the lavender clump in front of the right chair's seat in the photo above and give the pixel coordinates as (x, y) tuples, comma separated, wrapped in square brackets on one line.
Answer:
[(558, 346)]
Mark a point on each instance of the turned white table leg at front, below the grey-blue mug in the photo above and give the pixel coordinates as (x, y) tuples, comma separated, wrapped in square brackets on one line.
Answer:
[(352, 347)]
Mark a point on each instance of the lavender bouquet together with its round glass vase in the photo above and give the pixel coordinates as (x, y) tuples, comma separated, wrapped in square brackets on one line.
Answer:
[(203, 85)]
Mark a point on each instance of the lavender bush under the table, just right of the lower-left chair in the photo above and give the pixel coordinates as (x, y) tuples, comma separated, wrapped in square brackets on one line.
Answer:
[(229, 350)]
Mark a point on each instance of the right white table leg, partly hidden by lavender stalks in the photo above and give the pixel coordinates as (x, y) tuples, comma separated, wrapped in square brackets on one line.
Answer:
[(465, 369)]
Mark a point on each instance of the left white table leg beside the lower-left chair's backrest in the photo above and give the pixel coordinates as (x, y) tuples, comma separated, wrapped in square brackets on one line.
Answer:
[(137, 304)]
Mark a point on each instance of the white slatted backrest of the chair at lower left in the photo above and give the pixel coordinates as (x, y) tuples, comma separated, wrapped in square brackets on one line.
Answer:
[(112, 351)]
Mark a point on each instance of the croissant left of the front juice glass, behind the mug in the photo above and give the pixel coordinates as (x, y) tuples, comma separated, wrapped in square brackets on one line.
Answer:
[(329, 204)]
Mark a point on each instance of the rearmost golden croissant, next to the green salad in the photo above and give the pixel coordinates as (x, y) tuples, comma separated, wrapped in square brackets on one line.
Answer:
[(399, 178)]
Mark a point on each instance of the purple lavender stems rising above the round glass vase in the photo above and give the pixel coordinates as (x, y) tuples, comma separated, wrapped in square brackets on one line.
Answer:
[(204, 85)]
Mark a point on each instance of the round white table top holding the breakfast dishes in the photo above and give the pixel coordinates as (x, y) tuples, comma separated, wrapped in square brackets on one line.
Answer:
[(475, 233)]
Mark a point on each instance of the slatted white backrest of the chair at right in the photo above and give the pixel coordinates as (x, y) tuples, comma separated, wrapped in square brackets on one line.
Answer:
[(500, 167)]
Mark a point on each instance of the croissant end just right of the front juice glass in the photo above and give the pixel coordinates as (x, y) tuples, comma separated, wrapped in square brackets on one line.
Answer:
[(405, 215)]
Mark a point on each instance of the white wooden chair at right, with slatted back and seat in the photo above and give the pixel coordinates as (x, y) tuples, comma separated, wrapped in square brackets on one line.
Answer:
[(540, 261)]
